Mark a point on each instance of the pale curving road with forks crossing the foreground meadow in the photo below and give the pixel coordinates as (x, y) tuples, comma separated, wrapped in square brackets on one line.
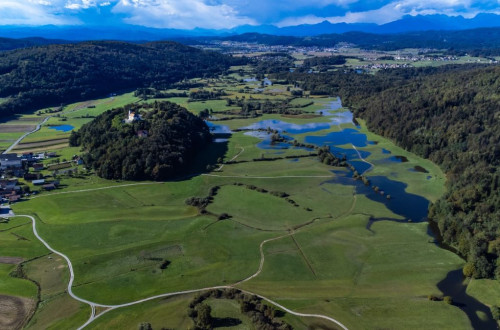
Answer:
[(93, 305)]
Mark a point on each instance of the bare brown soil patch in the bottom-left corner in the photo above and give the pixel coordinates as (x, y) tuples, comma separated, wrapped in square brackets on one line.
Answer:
[(14, 311)]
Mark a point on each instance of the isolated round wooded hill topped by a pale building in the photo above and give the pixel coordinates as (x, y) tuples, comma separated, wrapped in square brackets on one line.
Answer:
[(157, 145)]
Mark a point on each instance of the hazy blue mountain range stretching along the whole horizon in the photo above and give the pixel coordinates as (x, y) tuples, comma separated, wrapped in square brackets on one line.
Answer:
[(135, 33)]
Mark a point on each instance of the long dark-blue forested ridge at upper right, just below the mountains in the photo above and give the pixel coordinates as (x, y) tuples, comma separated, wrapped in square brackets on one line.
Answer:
[(484, 41)]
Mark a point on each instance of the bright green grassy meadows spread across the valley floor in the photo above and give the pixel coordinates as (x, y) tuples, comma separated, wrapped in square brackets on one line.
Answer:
[(129, 241)]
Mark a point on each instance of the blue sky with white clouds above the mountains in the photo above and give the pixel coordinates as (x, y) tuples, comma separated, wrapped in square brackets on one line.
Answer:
[(226, 14)]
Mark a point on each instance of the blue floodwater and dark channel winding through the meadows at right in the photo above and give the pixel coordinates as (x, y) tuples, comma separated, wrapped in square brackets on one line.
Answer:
[(410, 207)]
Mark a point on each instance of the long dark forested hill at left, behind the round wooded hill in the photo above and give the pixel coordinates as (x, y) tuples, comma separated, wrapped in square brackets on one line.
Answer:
[(33, 78)]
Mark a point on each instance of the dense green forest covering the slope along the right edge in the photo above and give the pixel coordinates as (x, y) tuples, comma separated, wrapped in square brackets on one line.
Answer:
[(450, 115)]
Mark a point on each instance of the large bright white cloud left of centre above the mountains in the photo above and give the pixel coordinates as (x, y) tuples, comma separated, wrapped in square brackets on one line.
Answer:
[(185, 14)]
